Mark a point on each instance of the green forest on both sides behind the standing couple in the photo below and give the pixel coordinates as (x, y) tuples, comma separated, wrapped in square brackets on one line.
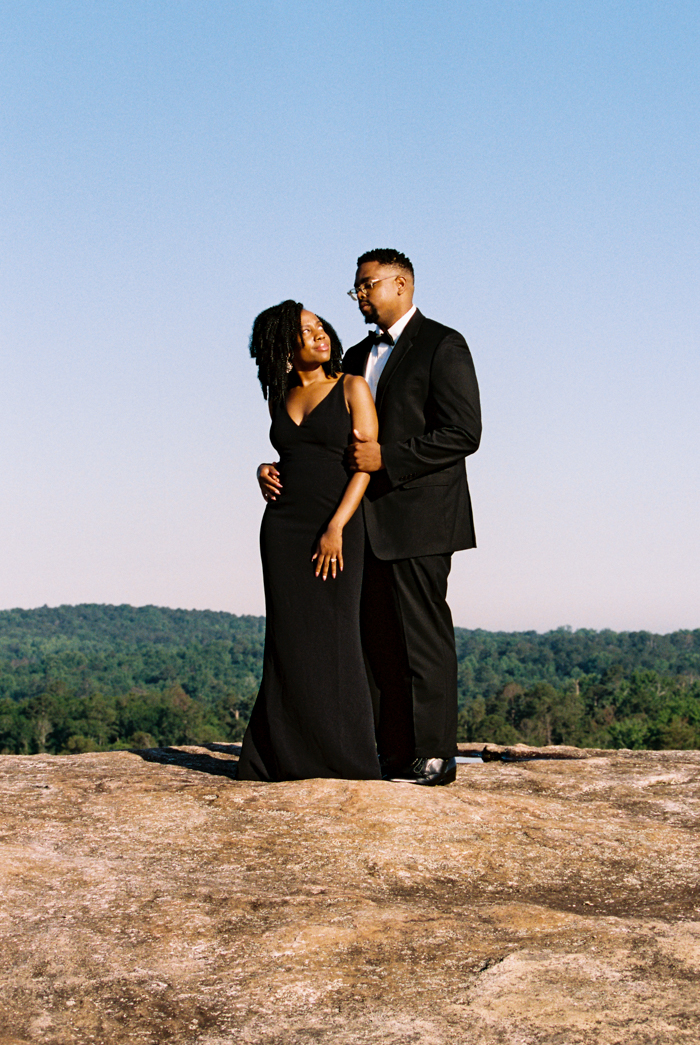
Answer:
[(94, 678)]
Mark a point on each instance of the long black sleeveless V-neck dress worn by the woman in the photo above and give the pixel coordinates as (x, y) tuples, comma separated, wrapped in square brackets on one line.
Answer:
[(313, 716)]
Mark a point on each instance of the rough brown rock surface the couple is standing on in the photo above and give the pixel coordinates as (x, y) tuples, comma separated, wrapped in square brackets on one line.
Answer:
[(531, 902)]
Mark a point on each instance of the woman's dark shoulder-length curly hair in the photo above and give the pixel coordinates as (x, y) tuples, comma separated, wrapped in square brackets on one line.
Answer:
[(274, 339)]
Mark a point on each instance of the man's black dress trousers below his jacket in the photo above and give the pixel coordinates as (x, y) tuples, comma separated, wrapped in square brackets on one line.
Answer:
[(409, 644)]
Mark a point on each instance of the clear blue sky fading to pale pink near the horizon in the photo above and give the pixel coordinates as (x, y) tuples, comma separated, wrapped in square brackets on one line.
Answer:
[(171, 169)]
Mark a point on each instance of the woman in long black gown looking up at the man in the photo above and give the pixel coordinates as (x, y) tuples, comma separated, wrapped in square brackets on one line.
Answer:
[(313, 716)]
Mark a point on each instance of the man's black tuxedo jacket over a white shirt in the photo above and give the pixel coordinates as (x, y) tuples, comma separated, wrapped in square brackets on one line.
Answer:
[(430, 422)]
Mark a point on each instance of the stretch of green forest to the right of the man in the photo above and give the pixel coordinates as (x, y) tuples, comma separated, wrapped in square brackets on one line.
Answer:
[(590, 689)]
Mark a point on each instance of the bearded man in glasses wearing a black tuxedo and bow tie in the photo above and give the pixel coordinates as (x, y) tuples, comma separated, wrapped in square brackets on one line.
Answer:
[(417, 513)]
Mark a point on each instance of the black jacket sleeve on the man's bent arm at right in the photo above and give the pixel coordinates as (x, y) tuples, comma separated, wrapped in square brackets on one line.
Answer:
[(453, 415)]
